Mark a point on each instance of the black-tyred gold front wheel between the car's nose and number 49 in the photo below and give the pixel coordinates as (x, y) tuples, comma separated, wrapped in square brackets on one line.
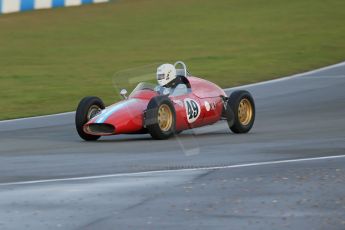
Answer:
[(160, 118)]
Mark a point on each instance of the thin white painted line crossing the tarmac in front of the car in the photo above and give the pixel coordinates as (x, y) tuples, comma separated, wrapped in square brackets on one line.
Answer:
[(173, 170)]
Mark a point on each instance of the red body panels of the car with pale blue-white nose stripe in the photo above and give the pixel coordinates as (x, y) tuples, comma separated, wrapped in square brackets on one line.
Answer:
[(127, 116)]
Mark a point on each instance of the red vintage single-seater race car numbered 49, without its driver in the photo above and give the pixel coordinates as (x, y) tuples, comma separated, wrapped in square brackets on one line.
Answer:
[(163, 111)]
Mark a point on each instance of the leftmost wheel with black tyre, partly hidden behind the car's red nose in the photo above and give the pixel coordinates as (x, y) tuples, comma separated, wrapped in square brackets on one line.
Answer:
[(88, 108)]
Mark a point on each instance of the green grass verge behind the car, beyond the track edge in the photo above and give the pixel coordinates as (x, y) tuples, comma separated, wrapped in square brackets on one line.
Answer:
[(50, 59)]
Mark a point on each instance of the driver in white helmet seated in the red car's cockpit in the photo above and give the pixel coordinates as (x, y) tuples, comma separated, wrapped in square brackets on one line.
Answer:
[(167, 78)]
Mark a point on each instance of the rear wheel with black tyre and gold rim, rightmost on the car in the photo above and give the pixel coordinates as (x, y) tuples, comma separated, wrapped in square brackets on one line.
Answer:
[(242, 104)]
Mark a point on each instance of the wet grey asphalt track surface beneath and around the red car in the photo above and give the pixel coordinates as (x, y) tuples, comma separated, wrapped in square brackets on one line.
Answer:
[(287, 173)]
